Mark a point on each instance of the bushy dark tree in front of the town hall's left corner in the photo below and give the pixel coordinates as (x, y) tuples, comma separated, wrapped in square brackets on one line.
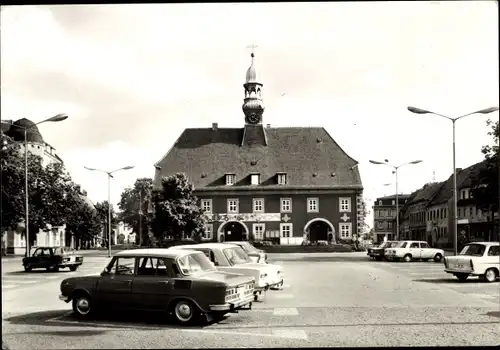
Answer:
[(176, 210)]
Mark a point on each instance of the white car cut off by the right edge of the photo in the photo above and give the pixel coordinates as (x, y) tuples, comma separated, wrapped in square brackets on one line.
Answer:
[(476, 259)]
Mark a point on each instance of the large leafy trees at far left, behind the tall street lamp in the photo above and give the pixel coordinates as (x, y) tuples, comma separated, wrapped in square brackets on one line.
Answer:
[(51, 194)]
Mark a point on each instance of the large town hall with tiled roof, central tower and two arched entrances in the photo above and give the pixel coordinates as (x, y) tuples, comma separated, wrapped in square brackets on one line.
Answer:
[(287, 184)]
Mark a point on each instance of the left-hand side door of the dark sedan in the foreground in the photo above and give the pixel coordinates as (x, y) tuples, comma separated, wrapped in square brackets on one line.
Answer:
[(115, 287)]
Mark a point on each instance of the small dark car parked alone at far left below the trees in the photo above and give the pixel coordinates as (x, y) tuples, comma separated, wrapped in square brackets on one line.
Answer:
[(53, 259)]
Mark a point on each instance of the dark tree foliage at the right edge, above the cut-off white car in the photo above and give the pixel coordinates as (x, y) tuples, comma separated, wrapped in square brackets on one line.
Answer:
[(485, 187)]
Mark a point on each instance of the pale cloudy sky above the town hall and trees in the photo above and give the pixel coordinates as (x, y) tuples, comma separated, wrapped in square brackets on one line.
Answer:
[(133, 77)]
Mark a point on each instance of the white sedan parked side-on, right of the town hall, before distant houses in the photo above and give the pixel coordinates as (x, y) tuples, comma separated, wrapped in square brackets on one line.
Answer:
[(413, 250)]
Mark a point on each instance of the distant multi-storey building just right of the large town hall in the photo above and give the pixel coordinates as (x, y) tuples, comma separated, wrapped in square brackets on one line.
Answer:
[(384, 216)]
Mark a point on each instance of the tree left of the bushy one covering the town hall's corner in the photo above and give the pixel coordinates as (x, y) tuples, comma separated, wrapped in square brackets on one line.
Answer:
[(134, 205)]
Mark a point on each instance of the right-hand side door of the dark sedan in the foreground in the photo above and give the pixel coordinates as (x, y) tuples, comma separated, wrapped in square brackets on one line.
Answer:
[(153, 284)]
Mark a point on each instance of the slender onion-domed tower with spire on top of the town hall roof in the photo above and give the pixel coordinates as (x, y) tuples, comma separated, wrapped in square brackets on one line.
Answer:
[(253, 106)]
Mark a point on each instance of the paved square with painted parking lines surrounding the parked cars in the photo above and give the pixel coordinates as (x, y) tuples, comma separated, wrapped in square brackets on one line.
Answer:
[(331, 301)]
